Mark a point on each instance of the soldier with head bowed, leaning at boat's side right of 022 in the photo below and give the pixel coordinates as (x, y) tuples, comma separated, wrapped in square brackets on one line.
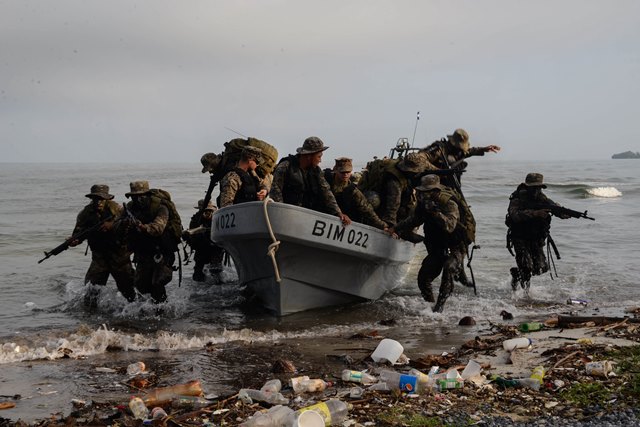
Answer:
[(397, 198)]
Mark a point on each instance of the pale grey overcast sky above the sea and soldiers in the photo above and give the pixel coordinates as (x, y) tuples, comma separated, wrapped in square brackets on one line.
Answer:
[(165, 80)]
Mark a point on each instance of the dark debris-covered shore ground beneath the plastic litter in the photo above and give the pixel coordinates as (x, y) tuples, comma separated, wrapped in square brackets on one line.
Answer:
[(562, 350)]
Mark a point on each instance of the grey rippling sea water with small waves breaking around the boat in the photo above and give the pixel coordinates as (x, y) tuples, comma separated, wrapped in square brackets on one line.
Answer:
[(47, 335)]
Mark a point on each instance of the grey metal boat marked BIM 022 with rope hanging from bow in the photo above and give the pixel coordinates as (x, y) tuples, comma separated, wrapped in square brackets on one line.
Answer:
[(293, 259)]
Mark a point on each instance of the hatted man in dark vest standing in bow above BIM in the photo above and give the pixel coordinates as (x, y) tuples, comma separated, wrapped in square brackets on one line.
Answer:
[(298, 180)]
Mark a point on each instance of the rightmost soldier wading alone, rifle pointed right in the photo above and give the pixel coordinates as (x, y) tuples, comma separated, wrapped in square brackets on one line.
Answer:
[(529, 226)]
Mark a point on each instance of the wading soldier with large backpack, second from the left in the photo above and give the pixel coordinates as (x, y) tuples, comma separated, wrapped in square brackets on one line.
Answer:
[(152, 239)]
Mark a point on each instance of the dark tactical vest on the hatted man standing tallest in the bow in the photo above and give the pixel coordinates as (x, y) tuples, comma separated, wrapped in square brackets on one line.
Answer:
[(302, 188)]
